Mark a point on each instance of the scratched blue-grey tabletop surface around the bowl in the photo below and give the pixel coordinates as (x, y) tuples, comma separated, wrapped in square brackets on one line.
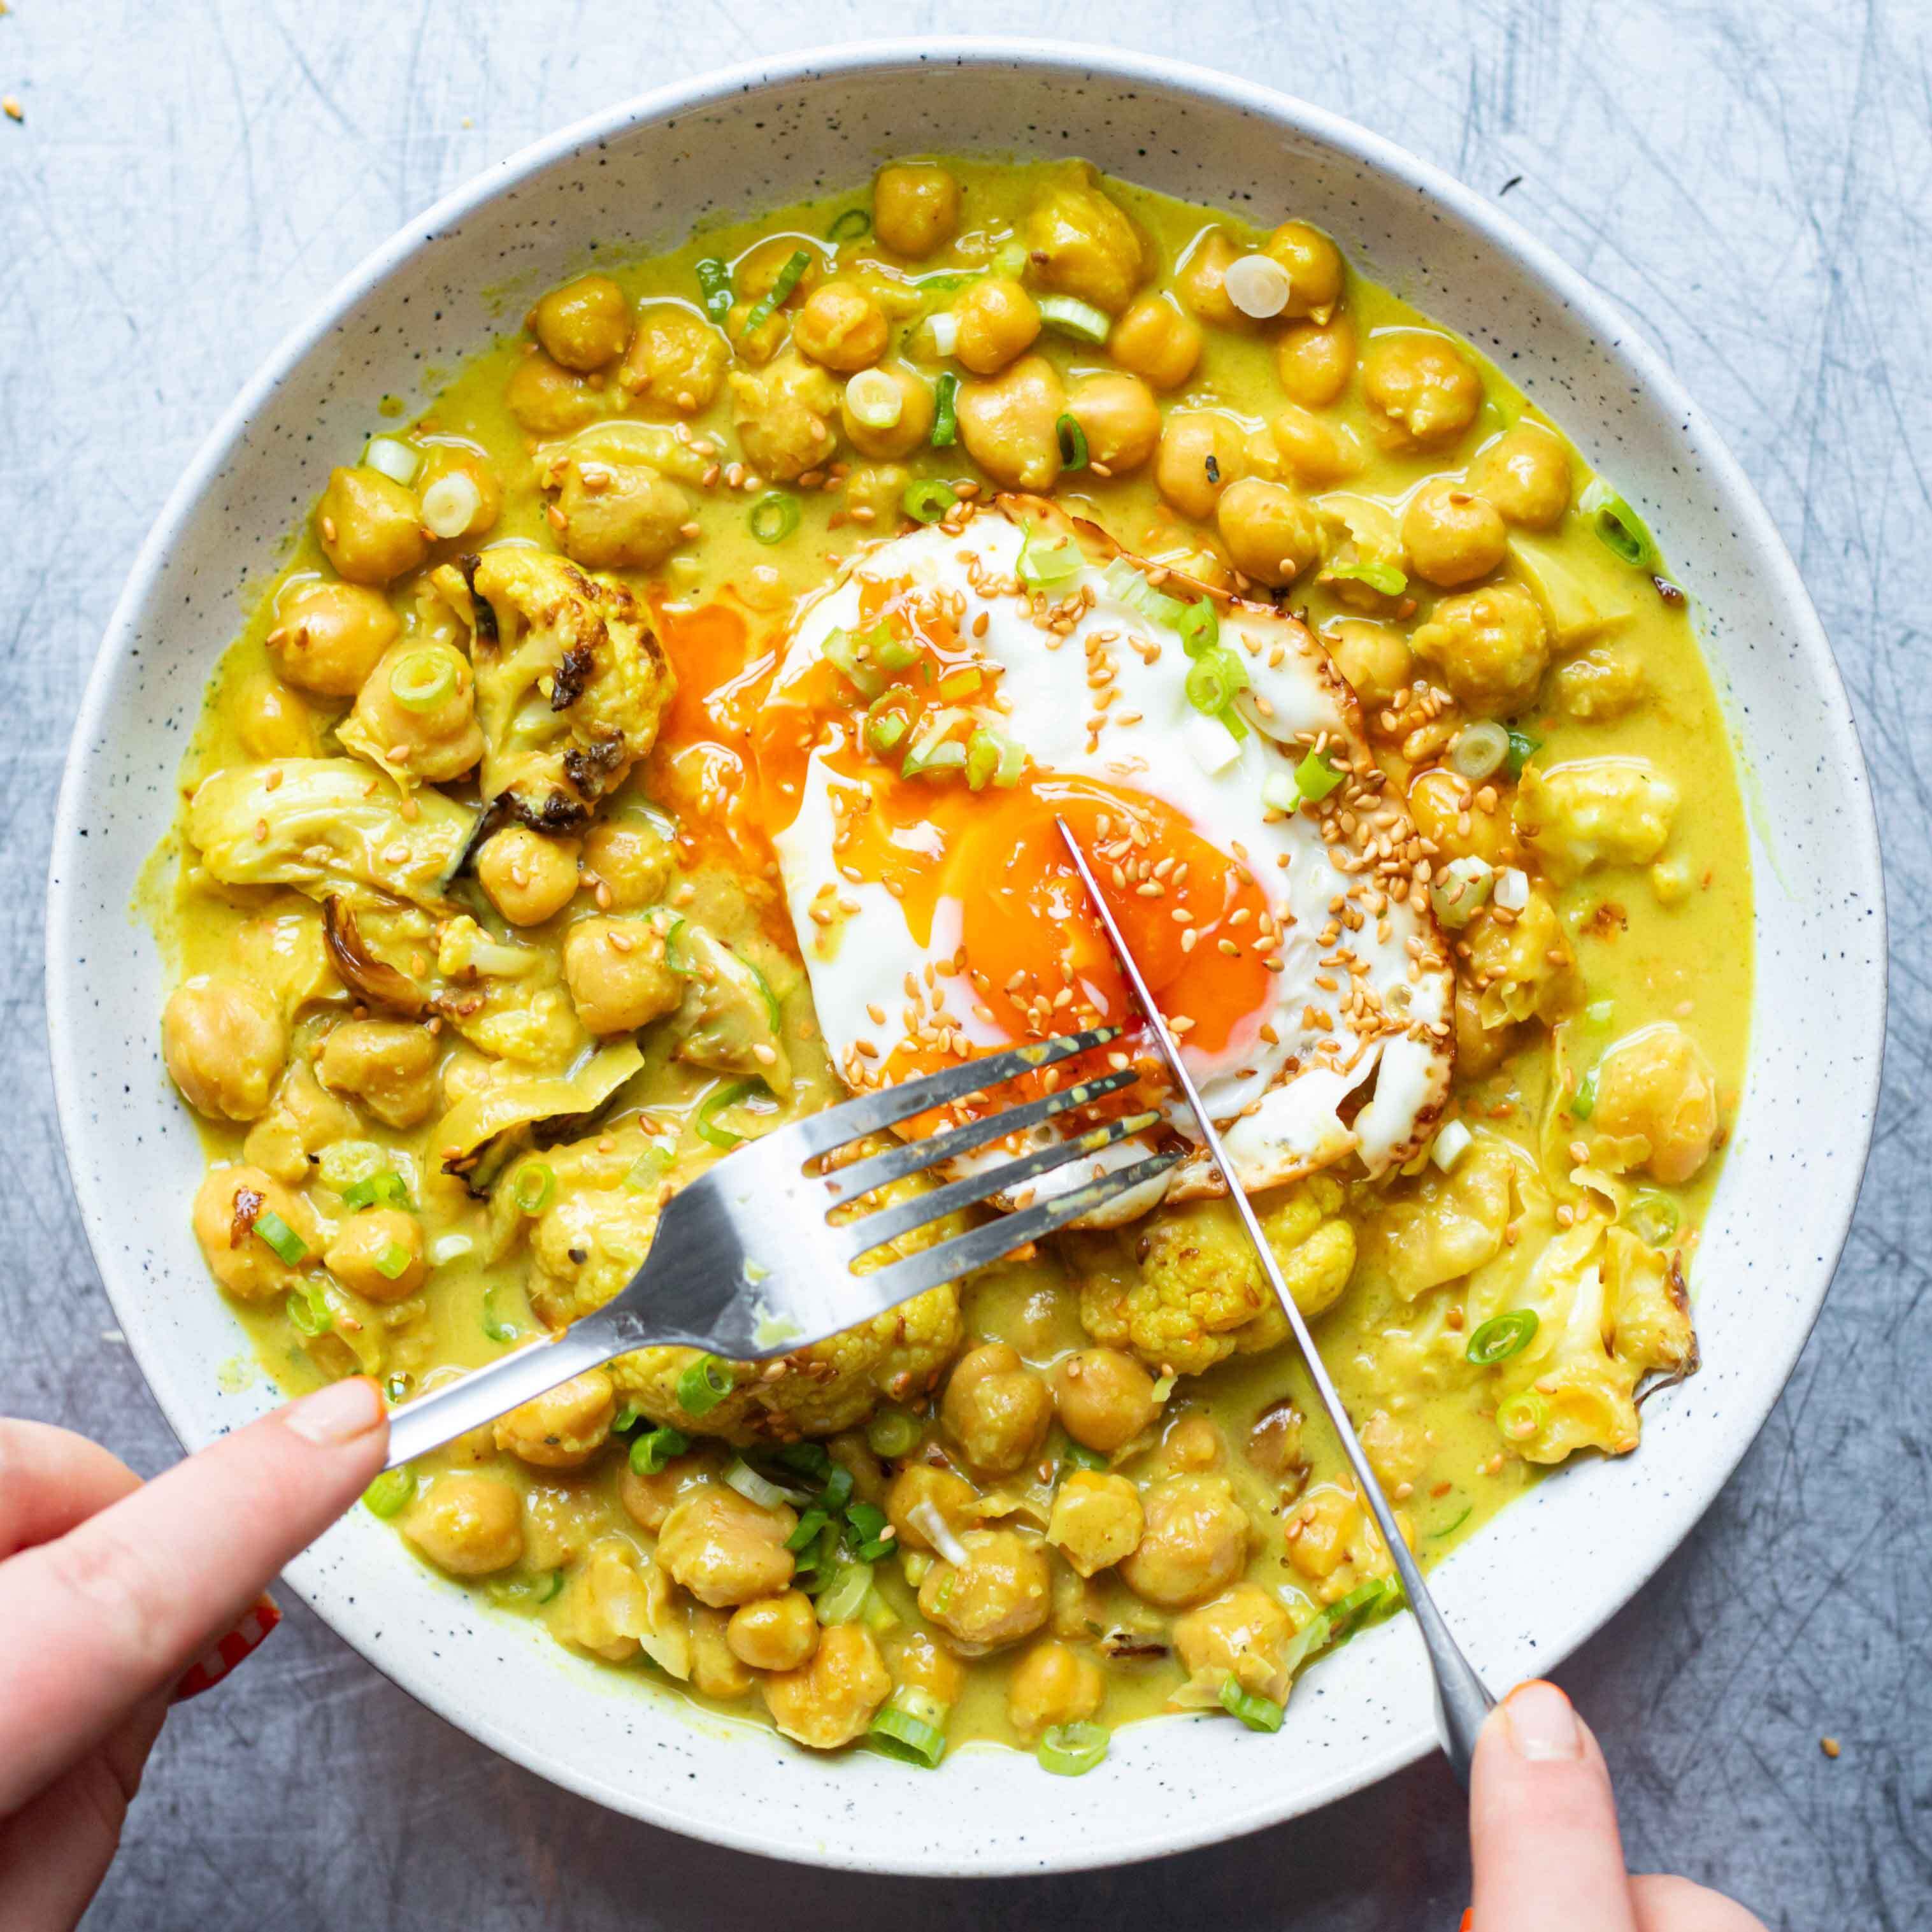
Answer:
[(1751, 179)]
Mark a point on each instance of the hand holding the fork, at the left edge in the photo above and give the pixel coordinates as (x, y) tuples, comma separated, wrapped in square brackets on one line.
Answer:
[(111, 1589)]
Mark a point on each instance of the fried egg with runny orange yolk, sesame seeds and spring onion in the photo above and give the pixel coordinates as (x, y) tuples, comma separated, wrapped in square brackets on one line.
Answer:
[(961, 687)]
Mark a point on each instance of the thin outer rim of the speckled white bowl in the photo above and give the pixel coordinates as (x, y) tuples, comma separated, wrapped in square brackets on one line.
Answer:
[(1620, 343)]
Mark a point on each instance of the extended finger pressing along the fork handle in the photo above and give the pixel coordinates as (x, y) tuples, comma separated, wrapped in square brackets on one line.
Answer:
[(115, 1610)]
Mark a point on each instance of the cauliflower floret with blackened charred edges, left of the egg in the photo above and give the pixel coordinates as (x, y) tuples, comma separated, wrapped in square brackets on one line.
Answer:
[(569, 677)]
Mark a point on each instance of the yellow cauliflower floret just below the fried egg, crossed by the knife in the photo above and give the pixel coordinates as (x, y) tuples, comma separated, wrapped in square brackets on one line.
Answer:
[(1185, 1292)]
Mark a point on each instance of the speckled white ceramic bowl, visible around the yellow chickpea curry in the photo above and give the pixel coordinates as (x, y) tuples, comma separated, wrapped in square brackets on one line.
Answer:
[(1558, 1564)]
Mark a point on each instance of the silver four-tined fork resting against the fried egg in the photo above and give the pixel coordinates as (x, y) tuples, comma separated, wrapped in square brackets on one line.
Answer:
[(749, 1261)]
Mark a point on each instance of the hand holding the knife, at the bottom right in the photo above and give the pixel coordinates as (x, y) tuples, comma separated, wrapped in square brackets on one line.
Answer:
[(1545, 1836)]
